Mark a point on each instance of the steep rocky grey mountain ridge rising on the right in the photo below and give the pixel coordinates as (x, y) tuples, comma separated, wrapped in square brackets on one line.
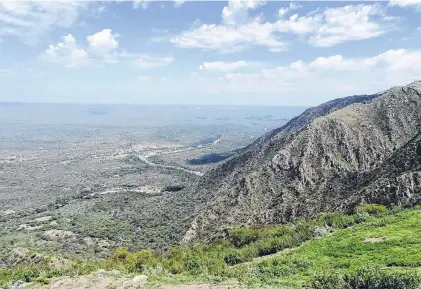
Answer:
[(332, 157)]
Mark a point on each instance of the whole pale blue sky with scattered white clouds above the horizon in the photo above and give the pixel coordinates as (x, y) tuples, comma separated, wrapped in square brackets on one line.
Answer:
[(210, 52)]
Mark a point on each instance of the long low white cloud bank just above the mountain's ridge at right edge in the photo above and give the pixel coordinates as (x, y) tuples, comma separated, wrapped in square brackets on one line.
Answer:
[(320, 79)]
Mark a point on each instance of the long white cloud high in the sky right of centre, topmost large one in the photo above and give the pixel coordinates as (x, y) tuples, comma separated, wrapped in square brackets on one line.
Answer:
[(322, 28)]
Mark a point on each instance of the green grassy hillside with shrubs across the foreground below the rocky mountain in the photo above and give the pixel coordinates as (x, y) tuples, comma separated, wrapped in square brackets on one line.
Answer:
[(374, 248)]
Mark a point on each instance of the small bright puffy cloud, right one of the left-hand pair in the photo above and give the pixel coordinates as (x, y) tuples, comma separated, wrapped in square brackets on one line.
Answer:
[(67, 53)]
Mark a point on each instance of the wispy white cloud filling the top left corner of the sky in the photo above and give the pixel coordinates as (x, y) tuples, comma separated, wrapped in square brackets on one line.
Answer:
[(30, 20)]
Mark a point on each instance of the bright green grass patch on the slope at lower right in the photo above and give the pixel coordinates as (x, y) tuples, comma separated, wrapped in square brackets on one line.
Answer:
[(346, 251)]
